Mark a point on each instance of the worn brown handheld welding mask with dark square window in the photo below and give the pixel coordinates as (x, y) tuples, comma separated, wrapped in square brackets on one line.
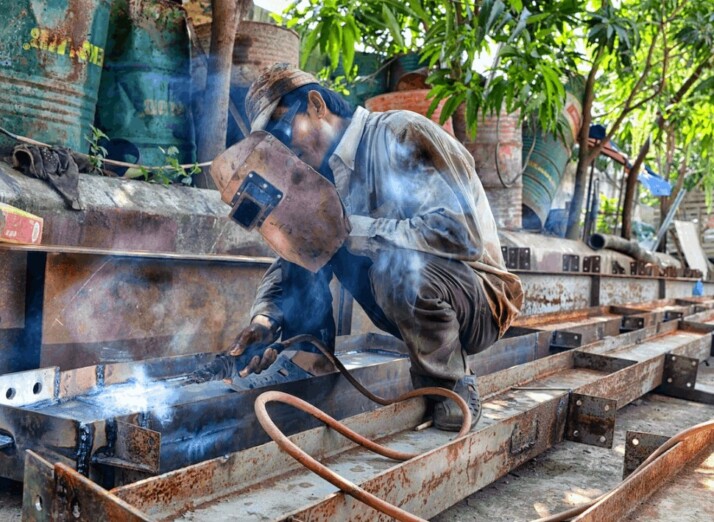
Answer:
[(296, 210)]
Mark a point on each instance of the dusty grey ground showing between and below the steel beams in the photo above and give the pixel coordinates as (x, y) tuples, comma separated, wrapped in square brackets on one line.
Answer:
[(556, 480)]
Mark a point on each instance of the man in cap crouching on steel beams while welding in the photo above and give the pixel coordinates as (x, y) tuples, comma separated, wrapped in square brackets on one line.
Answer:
[(420, 252)]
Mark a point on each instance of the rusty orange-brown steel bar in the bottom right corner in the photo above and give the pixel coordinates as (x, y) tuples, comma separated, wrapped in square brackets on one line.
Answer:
[(626, 499)]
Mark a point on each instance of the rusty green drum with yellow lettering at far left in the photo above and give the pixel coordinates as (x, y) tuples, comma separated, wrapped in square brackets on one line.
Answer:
[(51, 56)]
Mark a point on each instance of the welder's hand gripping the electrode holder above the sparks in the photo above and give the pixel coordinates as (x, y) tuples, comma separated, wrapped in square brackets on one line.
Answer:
[(261, 333)]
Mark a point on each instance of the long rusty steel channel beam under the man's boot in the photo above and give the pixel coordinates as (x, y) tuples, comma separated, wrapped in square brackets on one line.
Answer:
[(525, 412)]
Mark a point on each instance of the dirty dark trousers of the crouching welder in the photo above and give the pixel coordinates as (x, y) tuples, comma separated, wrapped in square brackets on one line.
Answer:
[(435, 305)]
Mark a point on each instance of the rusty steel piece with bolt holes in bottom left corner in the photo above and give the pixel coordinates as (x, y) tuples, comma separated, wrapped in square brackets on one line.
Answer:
[(58, 492)]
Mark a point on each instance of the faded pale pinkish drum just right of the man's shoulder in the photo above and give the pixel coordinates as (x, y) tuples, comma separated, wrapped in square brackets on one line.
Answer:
[(496, 150)]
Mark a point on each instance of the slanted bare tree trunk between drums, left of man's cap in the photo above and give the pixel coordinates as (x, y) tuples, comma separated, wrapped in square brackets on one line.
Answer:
[(226, 15)]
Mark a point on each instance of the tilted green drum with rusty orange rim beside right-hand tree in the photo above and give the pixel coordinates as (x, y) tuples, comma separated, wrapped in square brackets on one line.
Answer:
[(545, 164)]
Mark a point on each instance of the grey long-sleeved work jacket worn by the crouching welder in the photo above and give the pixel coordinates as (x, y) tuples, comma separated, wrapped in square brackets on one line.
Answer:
[(406, 183)]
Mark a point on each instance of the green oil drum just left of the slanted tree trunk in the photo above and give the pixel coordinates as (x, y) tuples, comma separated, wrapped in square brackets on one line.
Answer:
[(145, 92)]
